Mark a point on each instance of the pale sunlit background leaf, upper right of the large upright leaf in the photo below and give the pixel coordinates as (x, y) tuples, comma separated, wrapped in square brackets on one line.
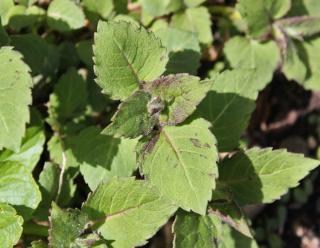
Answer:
[(196, 20)]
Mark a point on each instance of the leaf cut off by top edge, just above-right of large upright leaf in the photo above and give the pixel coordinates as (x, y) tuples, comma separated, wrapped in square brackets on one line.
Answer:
[(160, 7)]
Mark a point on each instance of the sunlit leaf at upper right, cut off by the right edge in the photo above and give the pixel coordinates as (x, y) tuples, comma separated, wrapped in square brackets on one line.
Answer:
[(313, 57)]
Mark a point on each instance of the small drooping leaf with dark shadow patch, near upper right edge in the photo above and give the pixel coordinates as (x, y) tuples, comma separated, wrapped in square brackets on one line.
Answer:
[(294, 67)]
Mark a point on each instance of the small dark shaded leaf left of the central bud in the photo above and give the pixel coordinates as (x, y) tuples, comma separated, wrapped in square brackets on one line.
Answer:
[(134, 117)]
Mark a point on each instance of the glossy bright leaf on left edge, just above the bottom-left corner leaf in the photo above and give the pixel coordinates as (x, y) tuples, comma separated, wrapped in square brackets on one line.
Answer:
[(18, 188)]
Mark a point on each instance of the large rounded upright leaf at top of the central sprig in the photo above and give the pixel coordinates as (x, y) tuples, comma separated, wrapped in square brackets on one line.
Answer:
[(126, 55)]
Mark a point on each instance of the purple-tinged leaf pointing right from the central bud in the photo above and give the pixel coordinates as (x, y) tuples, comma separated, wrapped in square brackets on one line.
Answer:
[(181, 94)]
